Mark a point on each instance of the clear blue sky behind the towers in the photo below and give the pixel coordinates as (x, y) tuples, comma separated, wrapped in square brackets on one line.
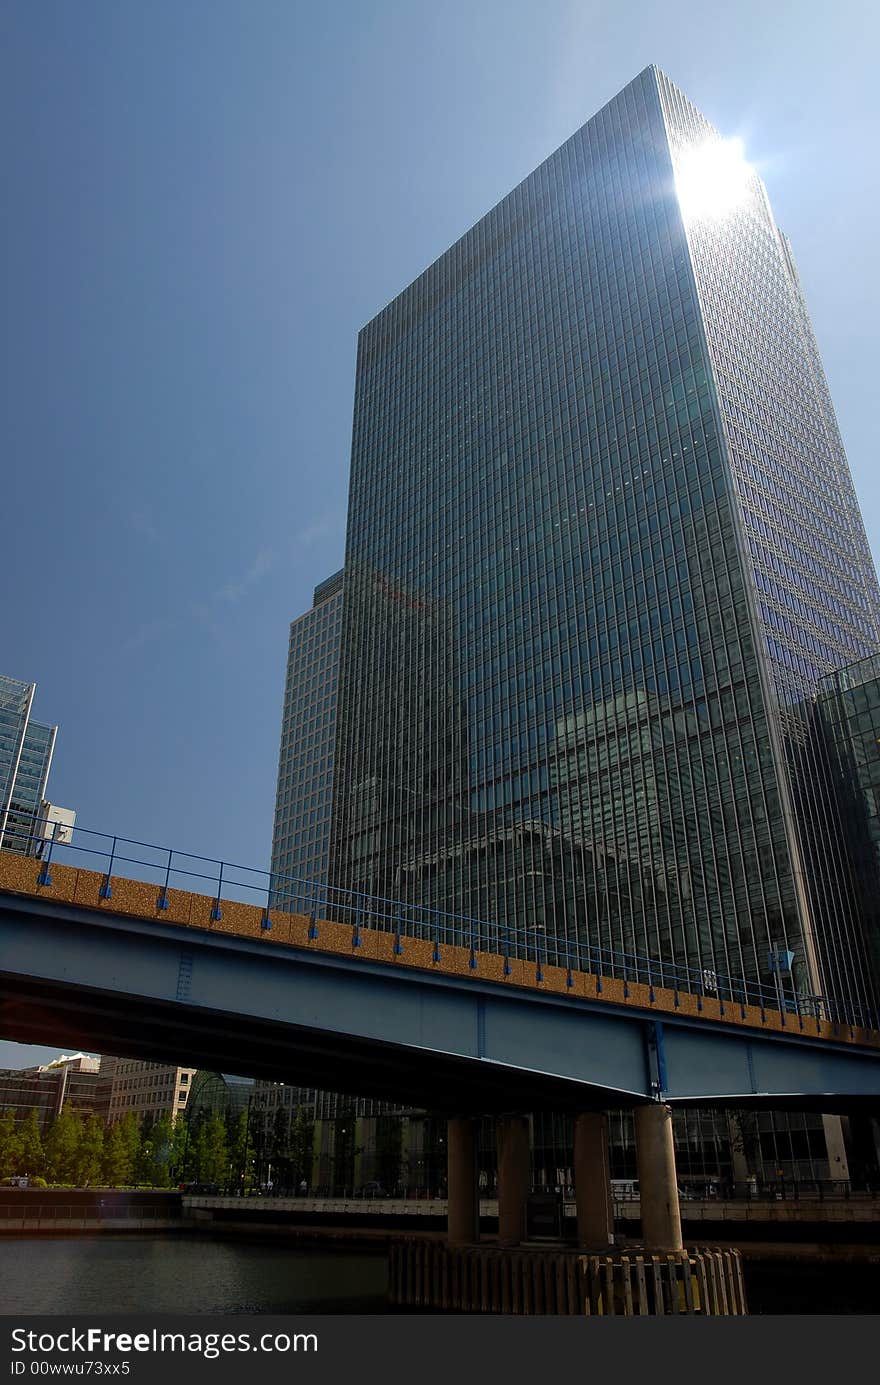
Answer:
[(204, 204)]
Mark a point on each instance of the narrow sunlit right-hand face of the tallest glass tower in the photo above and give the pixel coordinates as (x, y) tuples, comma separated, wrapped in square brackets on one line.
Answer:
[(799, 528)]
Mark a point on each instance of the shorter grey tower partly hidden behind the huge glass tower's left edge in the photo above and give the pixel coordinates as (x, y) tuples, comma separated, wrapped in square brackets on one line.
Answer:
[(301, 836)]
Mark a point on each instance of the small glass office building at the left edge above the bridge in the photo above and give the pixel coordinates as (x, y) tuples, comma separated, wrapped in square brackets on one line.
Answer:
[(26, 758)]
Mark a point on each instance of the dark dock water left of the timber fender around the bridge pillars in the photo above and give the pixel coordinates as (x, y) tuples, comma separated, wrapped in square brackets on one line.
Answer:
[(185, 1275)]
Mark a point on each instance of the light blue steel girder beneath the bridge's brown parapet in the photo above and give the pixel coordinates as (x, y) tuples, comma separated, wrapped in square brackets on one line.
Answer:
[(120, 984)]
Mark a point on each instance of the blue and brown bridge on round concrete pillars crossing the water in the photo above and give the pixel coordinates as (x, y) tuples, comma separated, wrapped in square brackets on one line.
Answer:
[(425, 1010)]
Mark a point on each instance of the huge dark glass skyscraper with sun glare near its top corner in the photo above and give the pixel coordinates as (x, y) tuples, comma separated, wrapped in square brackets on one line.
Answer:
[(602, 548)]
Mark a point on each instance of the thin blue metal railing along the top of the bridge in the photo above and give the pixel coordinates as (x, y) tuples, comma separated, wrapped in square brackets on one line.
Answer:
[(228, 882)]
